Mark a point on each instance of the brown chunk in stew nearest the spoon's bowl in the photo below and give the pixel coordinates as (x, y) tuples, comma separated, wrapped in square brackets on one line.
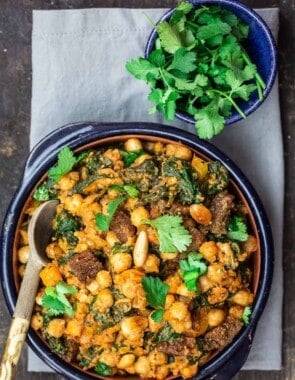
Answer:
[(85, 265)]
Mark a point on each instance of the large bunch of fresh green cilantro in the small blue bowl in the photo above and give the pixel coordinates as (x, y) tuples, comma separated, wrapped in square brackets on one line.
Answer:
[(199, 66)]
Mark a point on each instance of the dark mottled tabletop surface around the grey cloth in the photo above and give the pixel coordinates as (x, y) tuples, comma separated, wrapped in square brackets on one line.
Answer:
[(15, 90)]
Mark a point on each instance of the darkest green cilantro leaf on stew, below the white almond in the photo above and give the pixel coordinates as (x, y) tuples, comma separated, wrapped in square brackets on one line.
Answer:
[(156, 292)]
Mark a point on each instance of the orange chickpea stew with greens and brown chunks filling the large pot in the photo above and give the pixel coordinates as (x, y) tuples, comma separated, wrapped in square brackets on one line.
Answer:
[(150, 263)]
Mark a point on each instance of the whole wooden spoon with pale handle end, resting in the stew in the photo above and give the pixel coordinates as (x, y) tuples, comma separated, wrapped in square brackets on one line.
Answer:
[(39, 233)]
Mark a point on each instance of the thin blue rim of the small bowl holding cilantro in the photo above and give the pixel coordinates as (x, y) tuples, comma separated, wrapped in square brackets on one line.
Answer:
[(235, 116)]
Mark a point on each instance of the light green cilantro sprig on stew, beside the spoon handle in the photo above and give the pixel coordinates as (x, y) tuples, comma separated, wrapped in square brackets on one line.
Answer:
[(56, 301)]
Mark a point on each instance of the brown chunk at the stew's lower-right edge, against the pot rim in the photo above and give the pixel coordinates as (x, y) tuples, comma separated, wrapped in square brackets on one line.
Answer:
[(222, 335)]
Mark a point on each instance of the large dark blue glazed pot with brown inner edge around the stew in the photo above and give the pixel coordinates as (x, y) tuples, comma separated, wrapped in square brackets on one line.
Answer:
[(77, 136)]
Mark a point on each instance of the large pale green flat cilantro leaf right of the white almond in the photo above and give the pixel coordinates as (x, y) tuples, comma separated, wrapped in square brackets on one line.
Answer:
[(173, 236)]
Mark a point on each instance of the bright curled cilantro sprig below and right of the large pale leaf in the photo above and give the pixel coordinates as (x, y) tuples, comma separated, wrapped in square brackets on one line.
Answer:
[(191, 269)]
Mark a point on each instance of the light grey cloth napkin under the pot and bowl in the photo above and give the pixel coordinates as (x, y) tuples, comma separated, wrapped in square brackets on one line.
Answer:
[(79, 74)]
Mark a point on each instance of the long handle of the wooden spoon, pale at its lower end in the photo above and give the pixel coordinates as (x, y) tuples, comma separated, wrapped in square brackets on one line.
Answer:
[(21, 320)]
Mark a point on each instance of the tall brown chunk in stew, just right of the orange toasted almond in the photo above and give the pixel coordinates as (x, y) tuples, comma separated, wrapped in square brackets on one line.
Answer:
[(220, 207)]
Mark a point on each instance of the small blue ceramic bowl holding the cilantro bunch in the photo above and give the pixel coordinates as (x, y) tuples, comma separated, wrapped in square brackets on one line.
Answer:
[(261, 48)]
